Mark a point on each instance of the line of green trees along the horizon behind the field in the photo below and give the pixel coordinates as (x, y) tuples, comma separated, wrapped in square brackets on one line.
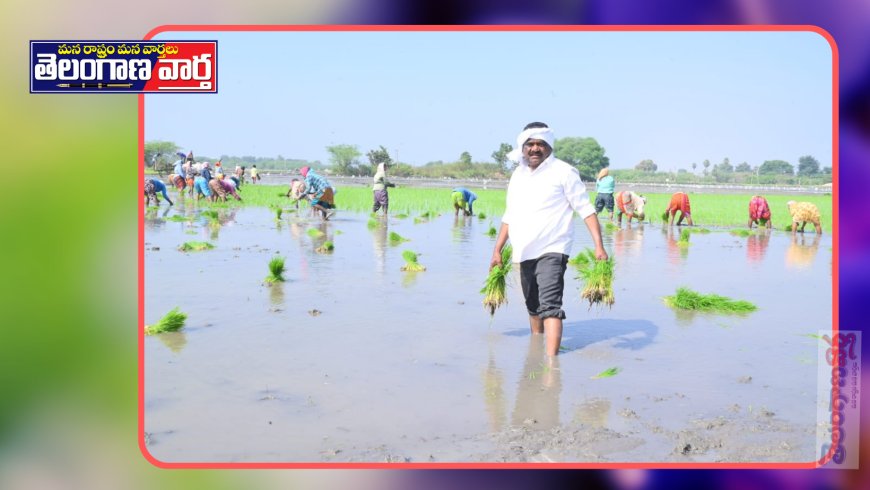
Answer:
[(583, 153)]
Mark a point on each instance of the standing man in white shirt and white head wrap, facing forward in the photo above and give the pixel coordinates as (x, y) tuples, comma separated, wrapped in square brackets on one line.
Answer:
[(542, 197)]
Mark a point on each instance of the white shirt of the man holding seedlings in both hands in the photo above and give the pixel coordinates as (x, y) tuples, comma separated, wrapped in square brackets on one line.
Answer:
[(540, 206)]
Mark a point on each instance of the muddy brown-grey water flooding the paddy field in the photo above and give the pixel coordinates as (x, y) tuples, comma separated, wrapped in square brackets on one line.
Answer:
[(354, 360)]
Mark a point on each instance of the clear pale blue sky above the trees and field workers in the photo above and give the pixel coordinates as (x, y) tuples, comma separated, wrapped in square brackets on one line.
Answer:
[(673, 97)]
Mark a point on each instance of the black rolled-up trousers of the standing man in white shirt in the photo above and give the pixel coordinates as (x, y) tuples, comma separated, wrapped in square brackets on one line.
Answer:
[(543, 281)]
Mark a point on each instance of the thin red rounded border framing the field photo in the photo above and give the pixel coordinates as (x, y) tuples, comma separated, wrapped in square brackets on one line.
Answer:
[(491, 28)]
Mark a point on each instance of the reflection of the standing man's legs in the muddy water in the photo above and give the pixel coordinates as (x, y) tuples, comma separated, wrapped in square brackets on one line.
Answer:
[(538, 389)]
